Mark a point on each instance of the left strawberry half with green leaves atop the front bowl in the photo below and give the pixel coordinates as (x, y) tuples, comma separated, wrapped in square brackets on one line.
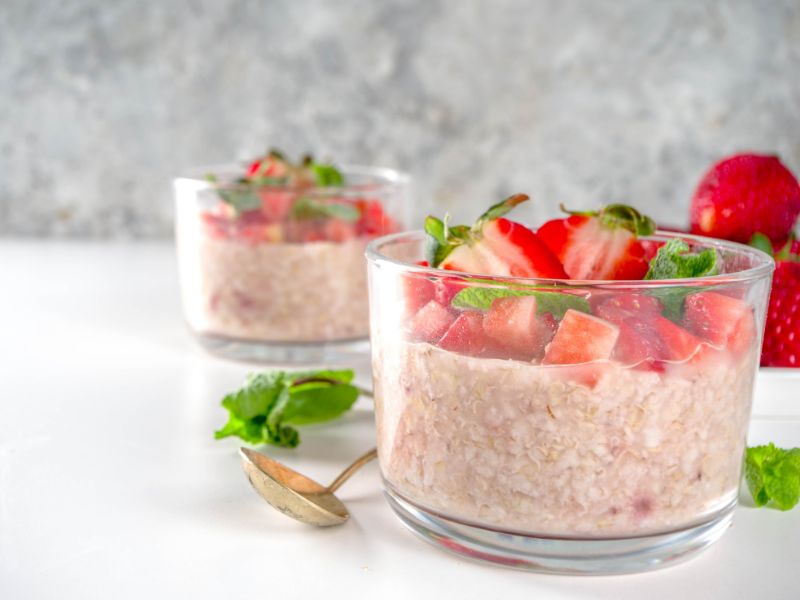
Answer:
[(492, 246)]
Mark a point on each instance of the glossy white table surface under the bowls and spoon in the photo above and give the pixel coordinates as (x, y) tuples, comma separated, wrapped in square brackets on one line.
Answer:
[(112, 486)]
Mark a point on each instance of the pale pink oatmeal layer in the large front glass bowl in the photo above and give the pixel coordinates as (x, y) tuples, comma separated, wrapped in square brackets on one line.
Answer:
[(523, 447)]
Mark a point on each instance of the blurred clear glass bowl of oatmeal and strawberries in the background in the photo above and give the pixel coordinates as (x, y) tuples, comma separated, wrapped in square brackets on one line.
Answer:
[(275, 273)]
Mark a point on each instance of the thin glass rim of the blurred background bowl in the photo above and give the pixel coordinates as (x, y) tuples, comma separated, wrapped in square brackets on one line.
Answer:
[(382, 178)]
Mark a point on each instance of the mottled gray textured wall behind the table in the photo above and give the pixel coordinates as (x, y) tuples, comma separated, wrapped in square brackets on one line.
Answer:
[(577, 102)]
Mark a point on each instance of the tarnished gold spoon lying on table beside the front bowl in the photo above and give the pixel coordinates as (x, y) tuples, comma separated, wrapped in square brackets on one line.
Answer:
[(296, 495)]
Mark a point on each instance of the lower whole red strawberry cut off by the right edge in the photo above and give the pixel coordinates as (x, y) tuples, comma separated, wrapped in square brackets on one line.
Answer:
[(782, 333)]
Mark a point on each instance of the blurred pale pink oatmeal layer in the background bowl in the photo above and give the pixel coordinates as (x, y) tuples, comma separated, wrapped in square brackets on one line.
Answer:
[(314, 291)]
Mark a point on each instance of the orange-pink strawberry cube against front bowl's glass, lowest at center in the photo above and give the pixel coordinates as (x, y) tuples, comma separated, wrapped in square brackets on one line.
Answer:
[(581, 338)]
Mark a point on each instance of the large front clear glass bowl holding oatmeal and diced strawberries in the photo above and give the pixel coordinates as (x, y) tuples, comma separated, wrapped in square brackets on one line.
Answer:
[(559, 425)]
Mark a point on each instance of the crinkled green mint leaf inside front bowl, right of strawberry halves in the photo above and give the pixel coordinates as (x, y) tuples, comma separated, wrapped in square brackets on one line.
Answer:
[(674, 260)]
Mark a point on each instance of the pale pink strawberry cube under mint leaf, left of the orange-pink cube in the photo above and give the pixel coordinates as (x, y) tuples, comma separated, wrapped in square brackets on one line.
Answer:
[(513, 325)]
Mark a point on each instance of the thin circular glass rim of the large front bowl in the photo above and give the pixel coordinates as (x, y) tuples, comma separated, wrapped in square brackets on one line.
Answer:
[(763, 265)]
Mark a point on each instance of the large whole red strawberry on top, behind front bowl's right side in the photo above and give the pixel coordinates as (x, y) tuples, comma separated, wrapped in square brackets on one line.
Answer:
[(745, 194)]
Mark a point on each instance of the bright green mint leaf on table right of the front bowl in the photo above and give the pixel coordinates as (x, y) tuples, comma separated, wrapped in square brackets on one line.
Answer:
[(773, 475)]
